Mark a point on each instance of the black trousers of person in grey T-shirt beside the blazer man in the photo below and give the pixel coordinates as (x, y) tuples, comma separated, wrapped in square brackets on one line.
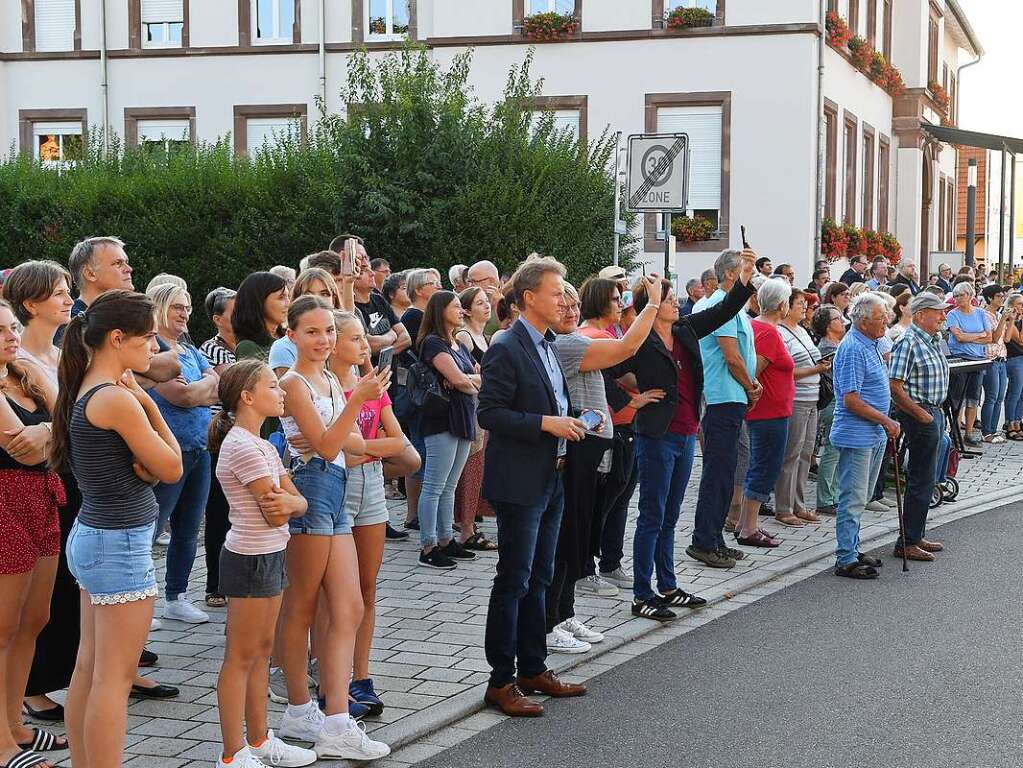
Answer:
[(577, 521)]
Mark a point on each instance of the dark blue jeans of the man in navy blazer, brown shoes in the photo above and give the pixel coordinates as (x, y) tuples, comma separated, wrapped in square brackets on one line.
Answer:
[(527, 537)]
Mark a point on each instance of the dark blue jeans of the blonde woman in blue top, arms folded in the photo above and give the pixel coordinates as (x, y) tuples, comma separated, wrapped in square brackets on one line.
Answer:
[(184, 505)]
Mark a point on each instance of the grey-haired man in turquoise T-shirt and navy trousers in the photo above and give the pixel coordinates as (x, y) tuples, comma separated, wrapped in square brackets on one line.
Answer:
[(730, 388)]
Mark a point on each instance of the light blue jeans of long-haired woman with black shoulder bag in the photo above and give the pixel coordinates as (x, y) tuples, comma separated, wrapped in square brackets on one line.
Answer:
[(447, 457)]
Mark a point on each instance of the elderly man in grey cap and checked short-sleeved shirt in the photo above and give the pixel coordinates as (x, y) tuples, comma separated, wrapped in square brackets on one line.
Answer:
[(919, 379)]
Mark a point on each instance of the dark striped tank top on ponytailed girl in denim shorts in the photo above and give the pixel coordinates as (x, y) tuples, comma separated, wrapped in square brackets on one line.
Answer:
[(113, 496)]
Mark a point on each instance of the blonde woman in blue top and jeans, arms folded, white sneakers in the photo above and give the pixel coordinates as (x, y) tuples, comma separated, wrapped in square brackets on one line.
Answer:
[(185, 404)]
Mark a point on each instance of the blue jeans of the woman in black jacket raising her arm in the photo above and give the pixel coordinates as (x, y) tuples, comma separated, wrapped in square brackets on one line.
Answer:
[(664, 468)]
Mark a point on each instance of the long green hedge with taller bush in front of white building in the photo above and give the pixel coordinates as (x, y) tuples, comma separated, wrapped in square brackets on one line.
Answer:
[(428, 175)]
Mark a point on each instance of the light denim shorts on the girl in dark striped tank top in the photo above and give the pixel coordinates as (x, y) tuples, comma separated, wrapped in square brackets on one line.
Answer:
[(114, 566)]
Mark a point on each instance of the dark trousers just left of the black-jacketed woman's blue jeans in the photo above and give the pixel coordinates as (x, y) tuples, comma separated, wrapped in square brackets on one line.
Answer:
[(608, 535)]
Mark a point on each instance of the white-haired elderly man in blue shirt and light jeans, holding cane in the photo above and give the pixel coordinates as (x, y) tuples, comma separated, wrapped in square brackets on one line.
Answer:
[(861, 430)]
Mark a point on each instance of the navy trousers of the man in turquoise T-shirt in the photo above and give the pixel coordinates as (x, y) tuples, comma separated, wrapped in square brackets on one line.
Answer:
[(722, 425)]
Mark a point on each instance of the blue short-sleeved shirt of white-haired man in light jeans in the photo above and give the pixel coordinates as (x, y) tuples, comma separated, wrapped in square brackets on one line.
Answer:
[(859, 368)]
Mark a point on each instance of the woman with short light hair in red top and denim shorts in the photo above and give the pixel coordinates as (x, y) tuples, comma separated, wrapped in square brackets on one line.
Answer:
[(769, 420)]
